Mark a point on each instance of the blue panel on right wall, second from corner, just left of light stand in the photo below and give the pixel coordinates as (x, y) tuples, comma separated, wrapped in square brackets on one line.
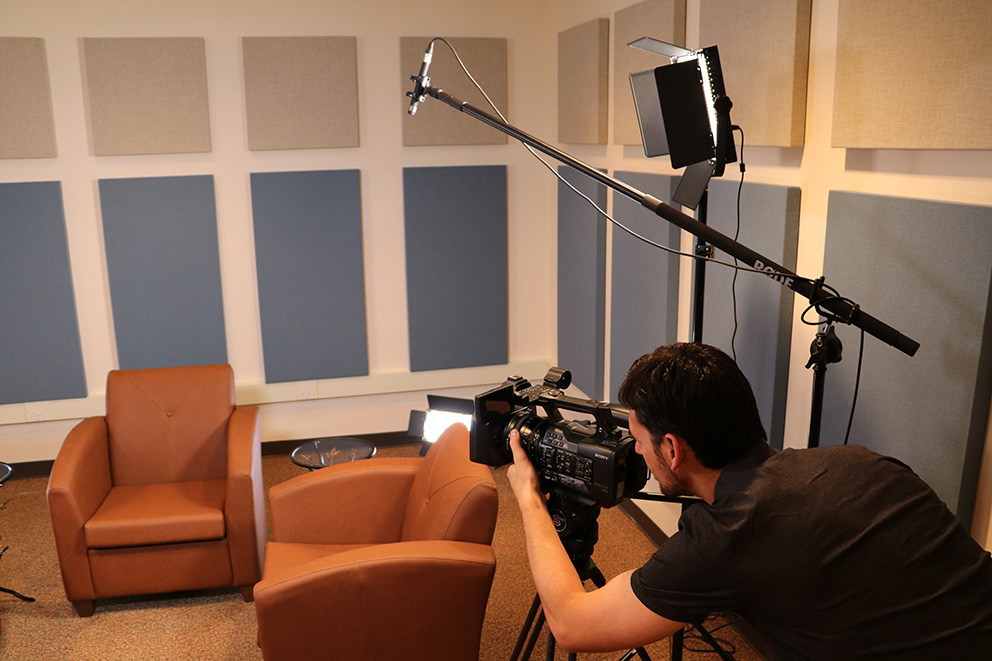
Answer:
[(644, 298)]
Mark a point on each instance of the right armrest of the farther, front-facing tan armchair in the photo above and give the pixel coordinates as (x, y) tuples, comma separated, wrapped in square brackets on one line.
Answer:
[(244, 507)]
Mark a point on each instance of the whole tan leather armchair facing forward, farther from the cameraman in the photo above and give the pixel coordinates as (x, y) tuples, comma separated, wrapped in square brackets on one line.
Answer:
[(162, 494)]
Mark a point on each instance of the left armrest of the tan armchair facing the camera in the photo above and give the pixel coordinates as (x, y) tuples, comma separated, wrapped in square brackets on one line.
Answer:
[(79, 482)]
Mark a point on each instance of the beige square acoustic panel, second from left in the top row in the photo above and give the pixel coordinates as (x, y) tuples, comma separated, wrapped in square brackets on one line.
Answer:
[(147, 95)]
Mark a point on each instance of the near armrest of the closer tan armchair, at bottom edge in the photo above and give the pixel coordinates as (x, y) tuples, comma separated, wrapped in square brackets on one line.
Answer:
[(364, 603)]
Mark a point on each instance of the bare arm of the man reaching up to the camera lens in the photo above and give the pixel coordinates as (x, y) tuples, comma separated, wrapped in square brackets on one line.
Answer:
[(607, 619)]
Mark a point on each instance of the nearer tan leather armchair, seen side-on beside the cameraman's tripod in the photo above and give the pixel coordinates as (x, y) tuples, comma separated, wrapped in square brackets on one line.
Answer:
[(380, 559)]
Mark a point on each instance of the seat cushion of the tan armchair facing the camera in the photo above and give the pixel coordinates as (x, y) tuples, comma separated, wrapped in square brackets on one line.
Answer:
[(149, 514)]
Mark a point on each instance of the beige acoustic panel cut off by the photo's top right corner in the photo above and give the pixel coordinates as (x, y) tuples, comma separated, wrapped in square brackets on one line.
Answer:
[(913, 74)]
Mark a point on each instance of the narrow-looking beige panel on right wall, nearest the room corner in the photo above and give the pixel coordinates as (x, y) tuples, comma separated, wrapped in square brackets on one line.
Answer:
[(583, 83)]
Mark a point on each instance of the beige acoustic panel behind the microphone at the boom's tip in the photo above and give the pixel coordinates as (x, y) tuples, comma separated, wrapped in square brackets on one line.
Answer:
[(437, 123)]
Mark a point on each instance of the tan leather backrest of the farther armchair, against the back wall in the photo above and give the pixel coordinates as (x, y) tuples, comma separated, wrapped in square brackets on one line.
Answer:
[(169, 424)]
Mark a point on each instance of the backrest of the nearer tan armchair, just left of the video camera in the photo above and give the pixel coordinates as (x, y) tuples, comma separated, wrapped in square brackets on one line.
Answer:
[(452, 497)]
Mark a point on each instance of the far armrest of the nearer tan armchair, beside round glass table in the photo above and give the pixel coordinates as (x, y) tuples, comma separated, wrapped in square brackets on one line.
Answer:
[(362, 502)]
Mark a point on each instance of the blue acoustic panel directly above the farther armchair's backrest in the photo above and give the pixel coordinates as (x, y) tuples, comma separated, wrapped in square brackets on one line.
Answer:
[(164, 270)]
